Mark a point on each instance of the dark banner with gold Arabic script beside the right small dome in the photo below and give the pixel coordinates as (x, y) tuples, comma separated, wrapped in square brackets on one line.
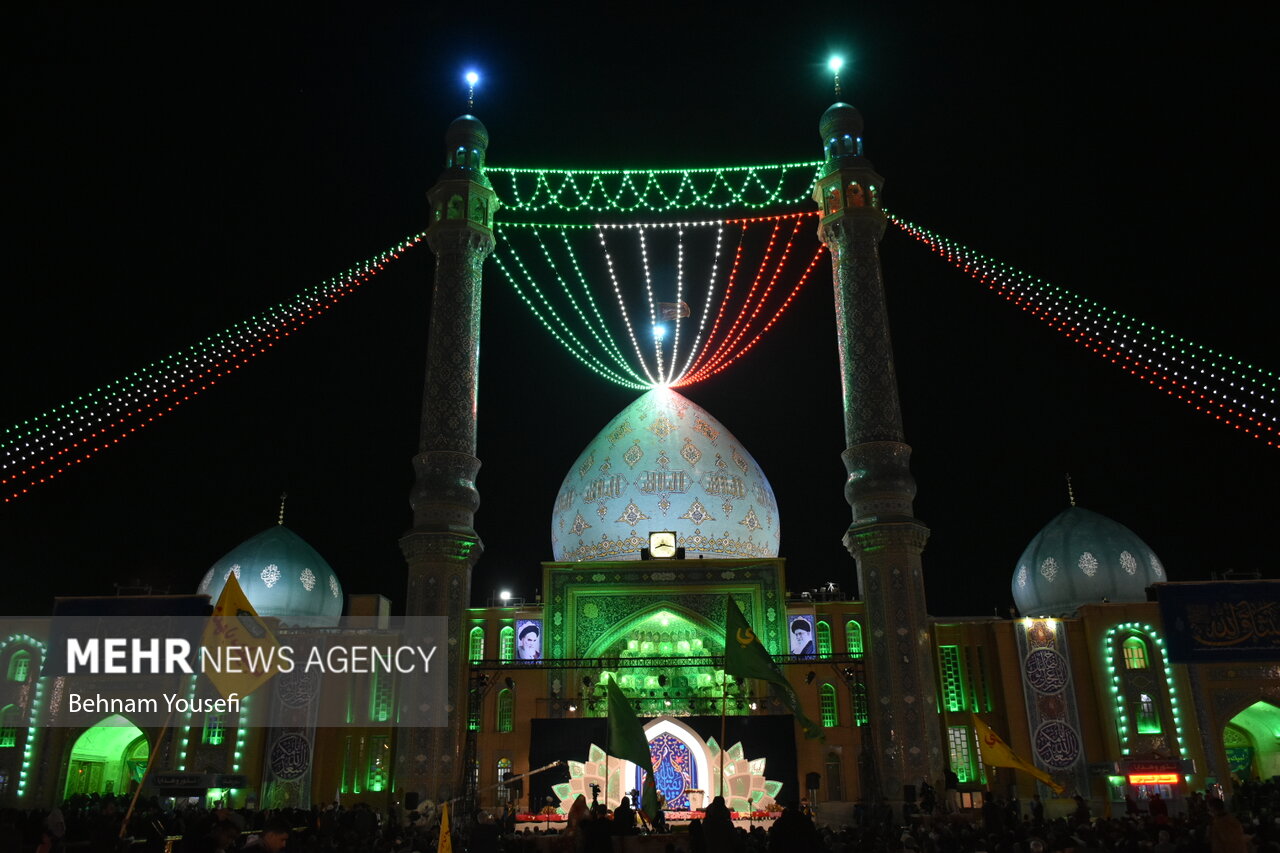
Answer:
[(1228, 621)]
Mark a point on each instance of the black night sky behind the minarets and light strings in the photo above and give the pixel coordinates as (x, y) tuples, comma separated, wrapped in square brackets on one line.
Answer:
[(170, 177)]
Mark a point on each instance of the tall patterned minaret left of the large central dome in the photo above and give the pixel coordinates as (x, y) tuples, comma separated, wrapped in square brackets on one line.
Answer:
[(444, 548)]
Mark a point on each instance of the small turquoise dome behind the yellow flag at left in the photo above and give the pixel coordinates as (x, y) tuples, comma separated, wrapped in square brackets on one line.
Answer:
[(284, 577)]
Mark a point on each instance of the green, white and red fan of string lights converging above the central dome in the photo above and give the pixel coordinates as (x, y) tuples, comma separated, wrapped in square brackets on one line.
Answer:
[(676, 359)]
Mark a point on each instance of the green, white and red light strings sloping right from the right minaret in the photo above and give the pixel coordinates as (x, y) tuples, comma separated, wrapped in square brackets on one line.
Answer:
[(1231, 391)]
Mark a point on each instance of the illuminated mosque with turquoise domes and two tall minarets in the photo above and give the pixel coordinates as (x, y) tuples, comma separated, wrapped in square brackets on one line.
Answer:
[(1112, 681)]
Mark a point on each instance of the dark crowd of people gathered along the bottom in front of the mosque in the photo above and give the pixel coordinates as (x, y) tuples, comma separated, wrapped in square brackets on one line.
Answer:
[(1199, 825)]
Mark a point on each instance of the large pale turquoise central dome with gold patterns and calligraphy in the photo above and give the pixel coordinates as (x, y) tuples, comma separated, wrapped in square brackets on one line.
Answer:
[(665, 464)]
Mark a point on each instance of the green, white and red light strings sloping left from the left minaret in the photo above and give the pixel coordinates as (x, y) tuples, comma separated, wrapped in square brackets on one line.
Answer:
[(43, 448)]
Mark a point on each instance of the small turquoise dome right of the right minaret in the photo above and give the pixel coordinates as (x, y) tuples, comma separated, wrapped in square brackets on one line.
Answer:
[(1082, 558)]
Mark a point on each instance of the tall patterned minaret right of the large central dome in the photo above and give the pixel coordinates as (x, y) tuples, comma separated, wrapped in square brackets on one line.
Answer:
[(885, 537)]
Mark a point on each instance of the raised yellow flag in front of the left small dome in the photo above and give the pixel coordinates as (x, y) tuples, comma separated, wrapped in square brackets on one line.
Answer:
[(241, 654)]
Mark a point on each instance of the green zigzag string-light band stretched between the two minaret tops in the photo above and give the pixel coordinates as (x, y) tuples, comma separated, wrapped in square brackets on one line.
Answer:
[(651, 190)]
